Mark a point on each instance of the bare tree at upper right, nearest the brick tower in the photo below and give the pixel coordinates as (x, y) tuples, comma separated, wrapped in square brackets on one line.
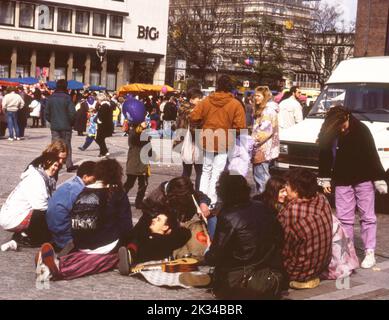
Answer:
[(326, 42)]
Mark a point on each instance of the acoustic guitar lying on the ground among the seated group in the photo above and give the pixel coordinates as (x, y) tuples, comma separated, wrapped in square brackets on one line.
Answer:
[(179, 265)]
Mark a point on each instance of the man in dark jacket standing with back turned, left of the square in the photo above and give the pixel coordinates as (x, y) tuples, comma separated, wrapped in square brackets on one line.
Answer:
[(60, 112)]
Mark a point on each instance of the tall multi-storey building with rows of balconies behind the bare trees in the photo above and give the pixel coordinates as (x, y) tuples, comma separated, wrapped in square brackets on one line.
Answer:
[(237, 44)]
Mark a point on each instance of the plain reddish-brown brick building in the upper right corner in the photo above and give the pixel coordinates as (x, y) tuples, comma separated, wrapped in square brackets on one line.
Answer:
[(372, 28)]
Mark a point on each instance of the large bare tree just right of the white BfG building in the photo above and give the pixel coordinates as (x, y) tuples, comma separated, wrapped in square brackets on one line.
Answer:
[(196, 31)]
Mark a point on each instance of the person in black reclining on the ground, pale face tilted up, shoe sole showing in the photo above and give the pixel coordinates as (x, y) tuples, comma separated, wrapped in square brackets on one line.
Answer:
[(154, 237)]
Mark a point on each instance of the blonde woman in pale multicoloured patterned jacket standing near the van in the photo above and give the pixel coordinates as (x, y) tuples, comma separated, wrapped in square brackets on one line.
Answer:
[(265, 135)]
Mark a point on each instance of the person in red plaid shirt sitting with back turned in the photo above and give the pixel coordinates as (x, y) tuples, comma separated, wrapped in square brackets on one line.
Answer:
[(307, 225)]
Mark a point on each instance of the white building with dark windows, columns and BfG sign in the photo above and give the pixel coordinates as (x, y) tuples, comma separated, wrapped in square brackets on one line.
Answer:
[(97, 42)]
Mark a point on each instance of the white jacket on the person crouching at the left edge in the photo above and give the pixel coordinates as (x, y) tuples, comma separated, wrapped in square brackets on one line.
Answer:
[(30, 194)]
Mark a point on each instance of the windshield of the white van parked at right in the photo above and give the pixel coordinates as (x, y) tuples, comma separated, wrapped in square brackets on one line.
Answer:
[(369, 102)]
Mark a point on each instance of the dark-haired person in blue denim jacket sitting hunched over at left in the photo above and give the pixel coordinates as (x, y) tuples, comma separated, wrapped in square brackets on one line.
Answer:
[(61, 204)]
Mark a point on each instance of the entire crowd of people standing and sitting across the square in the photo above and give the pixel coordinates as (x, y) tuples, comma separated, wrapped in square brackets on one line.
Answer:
[(259, 242)]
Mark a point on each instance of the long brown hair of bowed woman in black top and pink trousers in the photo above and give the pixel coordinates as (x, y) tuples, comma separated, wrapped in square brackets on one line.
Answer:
[(333, 122)]
